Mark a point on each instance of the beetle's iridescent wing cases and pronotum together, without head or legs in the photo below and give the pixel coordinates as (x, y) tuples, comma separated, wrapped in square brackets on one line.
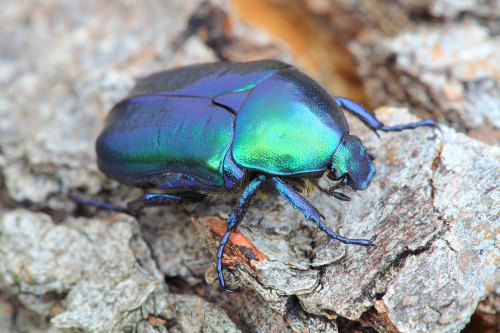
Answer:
[(266, 116)]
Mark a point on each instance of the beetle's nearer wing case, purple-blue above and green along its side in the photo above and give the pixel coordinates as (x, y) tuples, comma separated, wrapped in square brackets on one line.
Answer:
[(152, 135)]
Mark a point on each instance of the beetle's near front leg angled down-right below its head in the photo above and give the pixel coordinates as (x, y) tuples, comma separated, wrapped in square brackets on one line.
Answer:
[(310, 212)]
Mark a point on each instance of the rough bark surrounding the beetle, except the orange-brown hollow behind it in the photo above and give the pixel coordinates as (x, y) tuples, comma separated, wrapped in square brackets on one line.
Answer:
[(433, 203)]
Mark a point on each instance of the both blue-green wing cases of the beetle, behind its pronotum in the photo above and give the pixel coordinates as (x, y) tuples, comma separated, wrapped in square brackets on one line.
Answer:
[(178, 124)]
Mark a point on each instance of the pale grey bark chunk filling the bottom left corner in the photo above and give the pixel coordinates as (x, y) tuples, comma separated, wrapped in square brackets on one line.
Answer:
[(95, 275)]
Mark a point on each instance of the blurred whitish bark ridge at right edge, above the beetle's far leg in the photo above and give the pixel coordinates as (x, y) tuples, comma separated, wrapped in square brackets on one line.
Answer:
[(452, 71)]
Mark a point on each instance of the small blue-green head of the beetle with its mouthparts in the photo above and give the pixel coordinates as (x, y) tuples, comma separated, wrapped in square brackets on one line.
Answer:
[(352, 166)]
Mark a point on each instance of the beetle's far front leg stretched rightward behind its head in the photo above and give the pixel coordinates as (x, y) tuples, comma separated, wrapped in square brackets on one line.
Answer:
[(369, 119)]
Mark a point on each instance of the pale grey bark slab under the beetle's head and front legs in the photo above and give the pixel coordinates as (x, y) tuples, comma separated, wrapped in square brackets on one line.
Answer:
[(432, 201)]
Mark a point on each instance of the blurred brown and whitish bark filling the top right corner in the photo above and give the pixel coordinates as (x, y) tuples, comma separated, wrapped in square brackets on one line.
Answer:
[(437, 57)]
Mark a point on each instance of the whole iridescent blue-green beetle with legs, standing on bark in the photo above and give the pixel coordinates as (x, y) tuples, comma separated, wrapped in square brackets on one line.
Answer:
[(206, 130)]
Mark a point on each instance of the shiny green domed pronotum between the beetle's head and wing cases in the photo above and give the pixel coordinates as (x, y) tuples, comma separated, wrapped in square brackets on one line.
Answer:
[(288, 125)]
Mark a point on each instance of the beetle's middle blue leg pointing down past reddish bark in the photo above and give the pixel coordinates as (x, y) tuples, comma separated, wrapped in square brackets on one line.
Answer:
[(235, 219)]
